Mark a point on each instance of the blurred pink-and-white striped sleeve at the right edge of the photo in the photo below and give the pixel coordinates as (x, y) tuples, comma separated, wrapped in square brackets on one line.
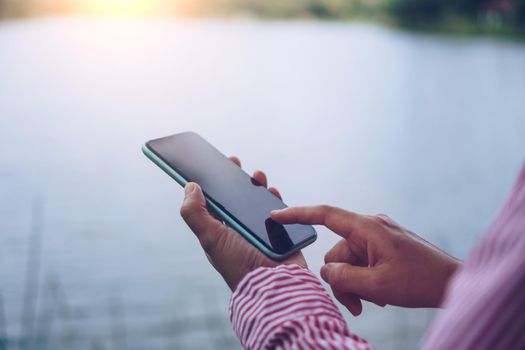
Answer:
[(485, 303)]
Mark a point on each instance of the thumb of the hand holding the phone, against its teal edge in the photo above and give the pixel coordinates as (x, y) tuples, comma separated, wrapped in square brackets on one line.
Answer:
[(196, 215)]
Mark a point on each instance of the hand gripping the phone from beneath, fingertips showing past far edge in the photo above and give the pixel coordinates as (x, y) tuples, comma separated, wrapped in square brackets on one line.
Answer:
[(230, 254)]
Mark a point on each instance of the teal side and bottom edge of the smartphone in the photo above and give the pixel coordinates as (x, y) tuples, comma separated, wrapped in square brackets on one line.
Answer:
[(223, 215)]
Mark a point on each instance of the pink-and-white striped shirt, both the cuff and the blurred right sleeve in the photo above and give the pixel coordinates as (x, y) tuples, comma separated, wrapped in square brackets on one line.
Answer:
[(286, 307)]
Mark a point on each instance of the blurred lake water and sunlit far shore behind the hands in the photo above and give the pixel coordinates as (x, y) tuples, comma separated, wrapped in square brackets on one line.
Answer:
[(414, 108)]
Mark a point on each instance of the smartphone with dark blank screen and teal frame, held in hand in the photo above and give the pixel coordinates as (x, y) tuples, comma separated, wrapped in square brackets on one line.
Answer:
[(233, 196)]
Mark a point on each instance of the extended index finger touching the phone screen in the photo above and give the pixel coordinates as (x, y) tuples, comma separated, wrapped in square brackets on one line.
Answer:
[(338, 220)]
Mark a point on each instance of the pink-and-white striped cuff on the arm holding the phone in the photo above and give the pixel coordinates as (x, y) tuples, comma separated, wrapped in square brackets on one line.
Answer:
[(286, 307)]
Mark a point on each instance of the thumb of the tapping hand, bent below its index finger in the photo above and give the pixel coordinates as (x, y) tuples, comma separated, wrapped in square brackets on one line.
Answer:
[(343, 277)]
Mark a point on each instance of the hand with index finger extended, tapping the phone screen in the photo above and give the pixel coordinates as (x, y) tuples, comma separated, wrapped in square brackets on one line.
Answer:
[(377, 260)]
